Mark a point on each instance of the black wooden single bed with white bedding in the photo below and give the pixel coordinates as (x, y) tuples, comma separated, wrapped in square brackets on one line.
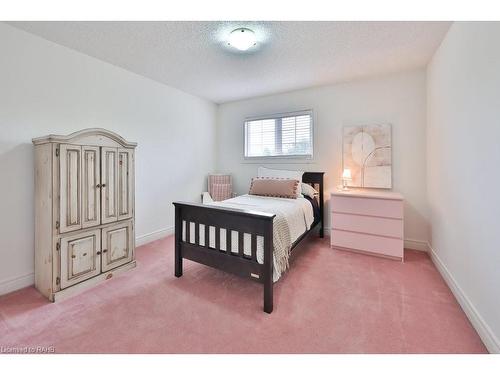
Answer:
[(253, 228)]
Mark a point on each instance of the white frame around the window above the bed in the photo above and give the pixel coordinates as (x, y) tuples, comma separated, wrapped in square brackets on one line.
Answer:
[(274, 117)]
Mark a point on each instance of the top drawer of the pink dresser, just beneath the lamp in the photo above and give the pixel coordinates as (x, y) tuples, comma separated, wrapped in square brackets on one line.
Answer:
[(367, 206)]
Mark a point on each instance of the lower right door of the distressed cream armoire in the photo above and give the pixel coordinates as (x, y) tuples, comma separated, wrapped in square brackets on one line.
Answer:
[(117, 245)]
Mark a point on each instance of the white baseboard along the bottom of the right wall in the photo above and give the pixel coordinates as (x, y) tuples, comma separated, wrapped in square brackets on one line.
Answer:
[(491, 342)]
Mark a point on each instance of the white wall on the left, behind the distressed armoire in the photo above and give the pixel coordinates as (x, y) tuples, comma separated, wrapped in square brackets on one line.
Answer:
[(46, 88)]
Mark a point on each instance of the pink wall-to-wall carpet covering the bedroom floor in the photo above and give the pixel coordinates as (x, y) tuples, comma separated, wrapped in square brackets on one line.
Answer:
[(329, 302)]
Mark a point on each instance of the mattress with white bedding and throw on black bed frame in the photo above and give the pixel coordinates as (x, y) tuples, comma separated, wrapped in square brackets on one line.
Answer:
[(297, 213)]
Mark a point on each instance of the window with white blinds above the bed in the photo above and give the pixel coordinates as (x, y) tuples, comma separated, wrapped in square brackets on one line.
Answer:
[(288, 134)]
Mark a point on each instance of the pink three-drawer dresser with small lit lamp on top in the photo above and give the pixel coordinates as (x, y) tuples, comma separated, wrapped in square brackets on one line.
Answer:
[(368, 221)]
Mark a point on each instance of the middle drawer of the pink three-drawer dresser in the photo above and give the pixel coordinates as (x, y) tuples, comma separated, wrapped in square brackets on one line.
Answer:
[(368, 224)]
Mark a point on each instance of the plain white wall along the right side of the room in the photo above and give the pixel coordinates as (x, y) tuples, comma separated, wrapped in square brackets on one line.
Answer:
[(463, 143)]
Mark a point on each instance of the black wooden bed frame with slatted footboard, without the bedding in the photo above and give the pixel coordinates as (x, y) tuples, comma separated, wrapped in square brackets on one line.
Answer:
[(242, 221)]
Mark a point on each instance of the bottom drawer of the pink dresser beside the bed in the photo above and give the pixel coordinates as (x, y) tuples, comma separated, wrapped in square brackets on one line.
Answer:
[(366, 242)]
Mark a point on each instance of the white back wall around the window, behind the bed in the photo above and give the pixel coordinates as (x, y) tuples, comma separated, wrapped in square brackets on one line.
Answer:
[(397, 99)]
